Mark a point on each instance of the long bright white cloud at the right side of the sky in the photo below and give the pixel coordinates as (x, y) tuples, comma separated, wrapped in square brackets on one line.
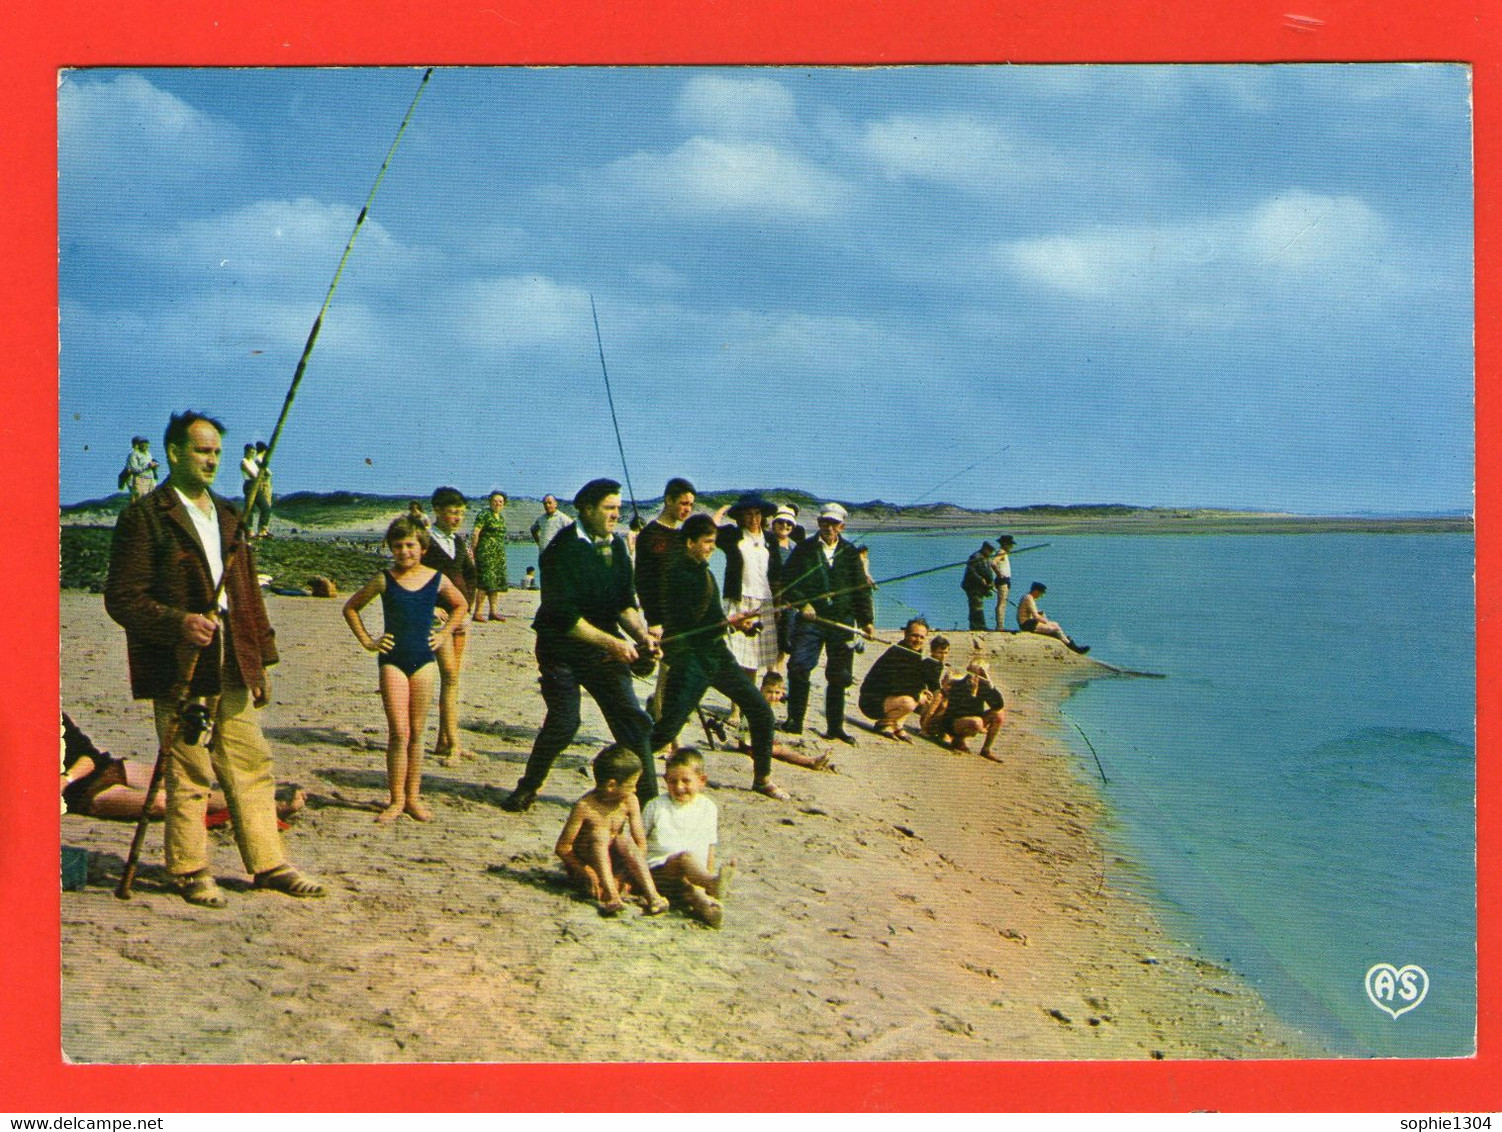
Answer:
[(1297, 242)]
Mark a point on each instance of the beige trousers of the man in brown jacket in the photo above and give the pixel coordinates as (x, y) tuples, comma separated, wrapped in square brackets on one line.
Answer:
[(241, 759)]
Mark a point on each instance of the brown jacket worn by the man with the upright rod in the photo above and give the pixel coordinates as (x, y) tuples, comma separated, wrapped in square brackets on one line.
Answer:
[(160, 574)]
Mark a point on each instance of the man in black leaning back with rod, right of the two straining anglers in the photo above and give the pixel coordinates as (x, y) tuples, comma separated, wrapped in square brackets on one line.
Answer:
[(695, 646)]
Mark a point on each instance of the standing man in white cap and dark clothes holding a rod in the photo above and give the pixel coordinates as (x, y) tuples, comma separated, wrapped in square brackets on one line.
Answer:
[(825, 580)]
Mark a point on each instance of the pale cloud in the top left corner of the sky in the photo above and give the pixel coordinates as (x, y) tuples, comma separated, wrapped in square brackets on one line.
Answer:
[(127, 130)]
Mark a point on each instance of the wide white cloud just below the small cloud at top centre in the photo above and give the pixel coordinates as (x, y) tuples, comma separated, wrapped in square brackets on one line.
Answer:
[(747, 178)]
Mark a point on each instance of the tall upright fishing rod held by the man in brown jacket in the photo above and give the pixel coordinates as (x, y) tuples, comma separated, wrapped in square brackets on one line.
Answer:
[(189, 666)]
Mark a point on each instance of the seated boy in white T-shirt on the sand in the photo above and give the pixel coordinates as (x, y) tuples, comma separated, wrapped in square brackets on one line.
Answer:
[(683, 831)]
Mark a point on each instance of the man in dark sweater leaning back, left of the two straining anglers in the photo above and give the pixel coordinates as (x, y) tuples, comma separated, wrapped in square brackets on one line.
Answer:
[(588, 598)]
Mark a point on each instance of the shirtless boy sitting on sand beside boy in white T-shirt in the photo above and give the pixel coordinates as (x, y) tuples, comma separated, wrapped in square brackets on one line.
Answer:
[(605, 832)]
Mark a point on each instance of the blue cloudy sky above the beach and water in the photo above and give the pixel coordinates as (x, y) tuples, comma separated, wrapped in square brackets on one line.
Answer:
[(1175, 286)]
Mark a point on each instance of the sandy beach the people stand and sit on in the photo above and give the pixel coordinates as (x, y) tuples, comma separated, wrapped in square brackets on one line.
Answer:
[(915, 905)]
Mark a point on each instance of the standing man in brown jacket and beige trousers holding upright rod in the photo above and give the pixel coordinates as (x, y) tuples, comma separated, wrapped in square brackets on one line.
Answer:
[(169, 552)]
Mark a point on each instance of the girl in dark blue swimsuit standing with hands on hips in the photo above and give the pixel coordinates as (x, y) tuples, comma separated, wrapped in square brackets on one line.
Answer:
[(409, 594)]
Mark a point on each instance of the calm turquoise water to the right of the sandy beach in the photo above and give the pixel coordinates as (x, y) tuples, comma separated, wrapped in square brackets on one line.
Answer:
[(1301, 789)]
